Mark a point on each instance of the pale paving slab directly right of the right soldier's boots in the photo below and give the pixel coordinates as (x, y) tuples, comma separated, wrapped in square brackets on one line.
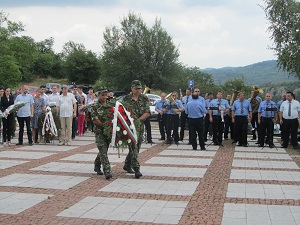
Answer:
[(173, 171)]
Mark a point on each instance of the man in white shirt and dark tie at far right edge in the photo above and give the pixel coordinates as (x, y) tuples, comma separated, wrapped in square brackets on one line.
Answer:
[(289, 114)]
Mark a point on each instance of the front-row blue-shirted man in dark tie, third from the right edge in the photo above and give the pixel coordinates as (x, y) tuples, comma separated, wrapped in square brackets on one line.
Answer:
[(241, 109)]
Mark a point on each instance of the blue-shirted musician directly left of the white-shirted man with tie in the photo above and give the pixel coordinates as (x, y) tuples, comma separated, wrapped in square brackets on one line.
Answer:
[(267, 112)]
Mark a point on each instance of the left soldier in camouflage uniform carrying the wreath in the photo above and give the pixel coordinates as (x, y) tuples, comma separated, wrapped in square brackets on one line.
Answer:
[(101, 141)]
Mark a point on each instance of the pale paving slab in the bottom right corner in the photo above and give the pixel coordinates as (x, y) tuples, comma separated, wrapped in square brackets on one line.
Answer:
[(255, 214)]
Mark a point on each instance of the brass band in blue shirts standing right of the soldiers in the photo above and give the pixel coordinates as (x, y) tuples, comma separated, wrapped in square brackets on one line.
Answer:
[(224, 116)]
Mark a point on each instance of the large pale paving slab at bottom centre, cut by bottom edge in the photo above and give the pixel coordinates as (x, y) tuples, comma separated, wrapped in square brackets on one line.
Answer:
[(122, 209)]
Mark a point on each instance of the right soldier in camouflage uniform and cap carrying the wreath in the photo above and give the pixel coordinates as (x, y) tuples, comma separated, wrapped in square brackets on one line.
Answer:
[(138, 104)]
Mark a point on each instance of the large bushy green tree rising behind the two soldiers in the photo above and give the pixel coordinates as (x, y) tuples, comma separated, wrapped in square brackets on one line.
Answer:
[(135, 51)]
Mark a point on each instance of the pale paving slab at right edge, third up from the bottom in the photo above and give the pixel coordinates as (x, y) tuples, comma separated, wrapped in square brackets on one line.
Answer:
[(265, 175)]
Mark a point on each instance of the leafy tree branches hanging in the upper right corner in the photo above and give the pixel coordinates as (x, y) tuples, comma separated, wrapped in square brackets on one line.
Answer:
[(284, 20)]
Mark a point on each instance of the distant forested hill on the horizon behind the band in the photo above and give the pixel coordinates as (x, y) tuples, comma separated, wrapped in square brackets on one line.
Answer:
[(260, 74)]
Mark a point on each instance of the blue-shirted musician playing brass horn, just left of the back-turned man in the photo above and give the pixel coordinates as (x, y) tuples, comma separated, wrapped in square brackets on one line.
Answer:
[(172, 110)]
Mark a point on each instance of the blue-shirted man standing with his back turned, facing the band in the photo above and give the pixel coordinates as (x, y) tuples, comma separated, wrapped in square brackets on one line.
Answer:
[(195, 111)]
